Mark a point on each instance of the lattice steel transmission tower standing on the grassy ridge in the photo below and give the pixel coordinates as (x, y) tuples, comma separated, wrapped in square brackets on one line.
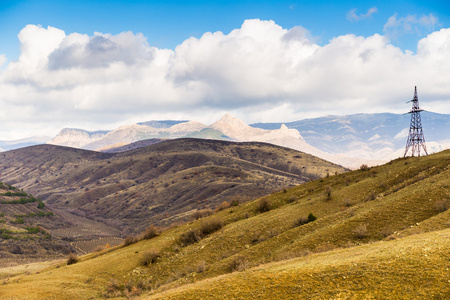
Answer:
[(416, 140)]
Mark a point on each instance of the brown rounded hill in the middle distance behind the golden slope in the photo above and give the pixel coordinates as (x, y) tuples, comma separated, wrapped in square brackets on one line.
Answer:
[(159, 184)]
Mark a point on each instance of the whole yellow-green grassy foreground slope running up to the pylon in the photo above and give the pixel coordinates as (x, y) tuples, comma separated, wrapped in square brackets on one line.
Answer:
[(380, 233)]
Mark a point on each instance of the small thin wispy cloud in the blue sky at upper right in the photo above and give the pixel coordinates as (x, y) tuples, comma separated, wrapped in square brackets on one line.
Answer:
[(411, 24)]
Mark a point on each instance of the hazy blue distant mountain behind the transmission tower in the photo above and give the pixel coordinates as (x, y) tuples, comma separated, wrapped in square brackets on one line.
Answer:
[(369, 136)]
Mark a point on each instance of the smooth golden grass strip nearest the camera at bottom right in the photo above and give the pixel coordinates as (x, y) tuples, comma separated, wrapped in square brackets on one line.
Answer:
[(415, 267)]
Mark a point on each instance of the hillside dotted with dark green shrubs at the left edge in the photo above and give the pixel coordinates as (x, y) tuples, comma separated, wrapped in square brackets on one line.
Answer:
[(25, 229)]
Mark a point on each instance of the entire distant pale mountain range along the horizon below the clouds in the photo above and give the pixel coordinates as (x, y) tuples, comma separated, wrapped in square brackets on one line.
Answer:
[(349, 140)]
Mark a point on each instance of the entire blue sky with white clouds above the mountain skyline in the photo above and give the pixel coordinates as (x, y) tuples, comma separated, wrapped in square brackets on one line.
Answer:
[(101, 64)]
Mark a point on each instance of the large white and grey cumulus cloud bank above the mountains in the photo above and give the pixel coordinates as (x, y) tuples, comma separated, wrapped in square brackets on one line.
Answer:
[(258, 72)]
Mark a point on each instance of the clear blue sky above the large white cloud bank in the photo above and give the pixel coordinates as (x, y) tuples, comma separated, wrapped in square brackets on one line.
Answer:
[(168, 23)]
